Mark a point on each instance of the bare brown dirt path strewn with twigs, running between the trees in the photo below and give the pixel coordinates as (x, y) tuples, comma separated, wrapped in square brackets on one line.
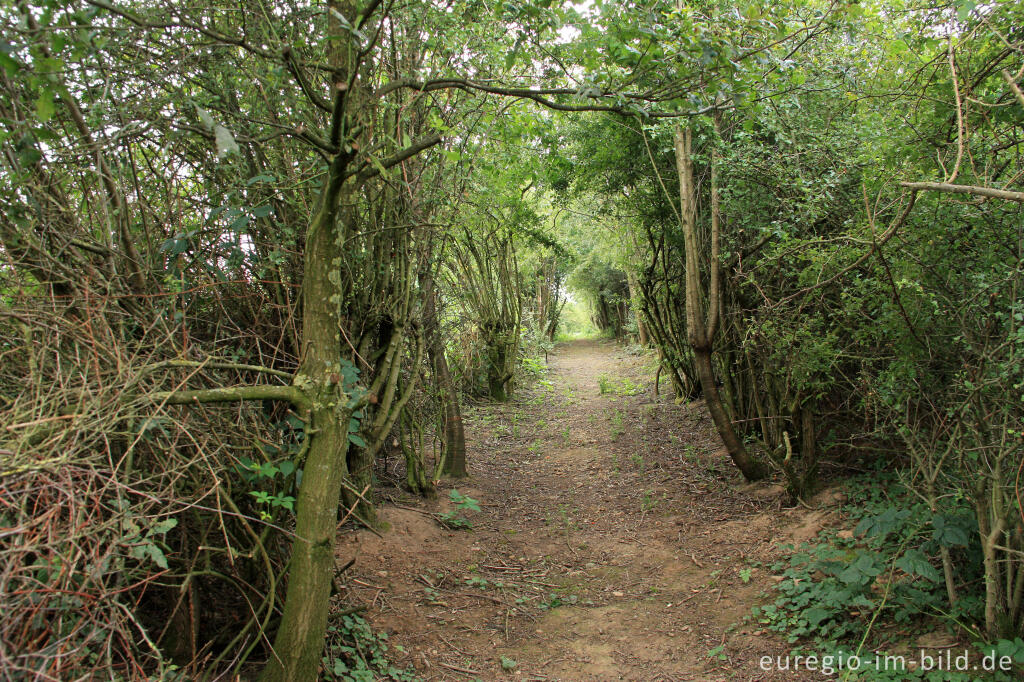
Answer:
[(616, 542)]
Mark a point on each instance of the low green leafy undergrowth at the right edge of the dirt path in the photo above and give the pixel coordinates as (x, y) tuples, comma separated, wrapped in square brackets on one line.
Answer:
[(881, 587)]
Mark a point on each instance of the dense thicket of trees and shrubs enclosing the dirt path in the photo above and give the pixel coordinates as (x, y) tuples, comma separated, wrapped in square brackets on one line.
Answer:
[(250, 255)]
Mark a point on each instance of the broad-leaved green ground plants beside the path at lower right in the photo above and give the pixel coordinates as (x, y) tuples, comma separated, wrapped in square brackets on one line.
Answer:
[(840, 592)]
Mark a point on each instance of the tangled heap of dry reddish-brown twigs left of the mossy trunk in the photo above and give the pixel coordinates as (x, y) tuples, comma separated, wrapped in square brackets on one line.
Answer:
[(113, 566)]
